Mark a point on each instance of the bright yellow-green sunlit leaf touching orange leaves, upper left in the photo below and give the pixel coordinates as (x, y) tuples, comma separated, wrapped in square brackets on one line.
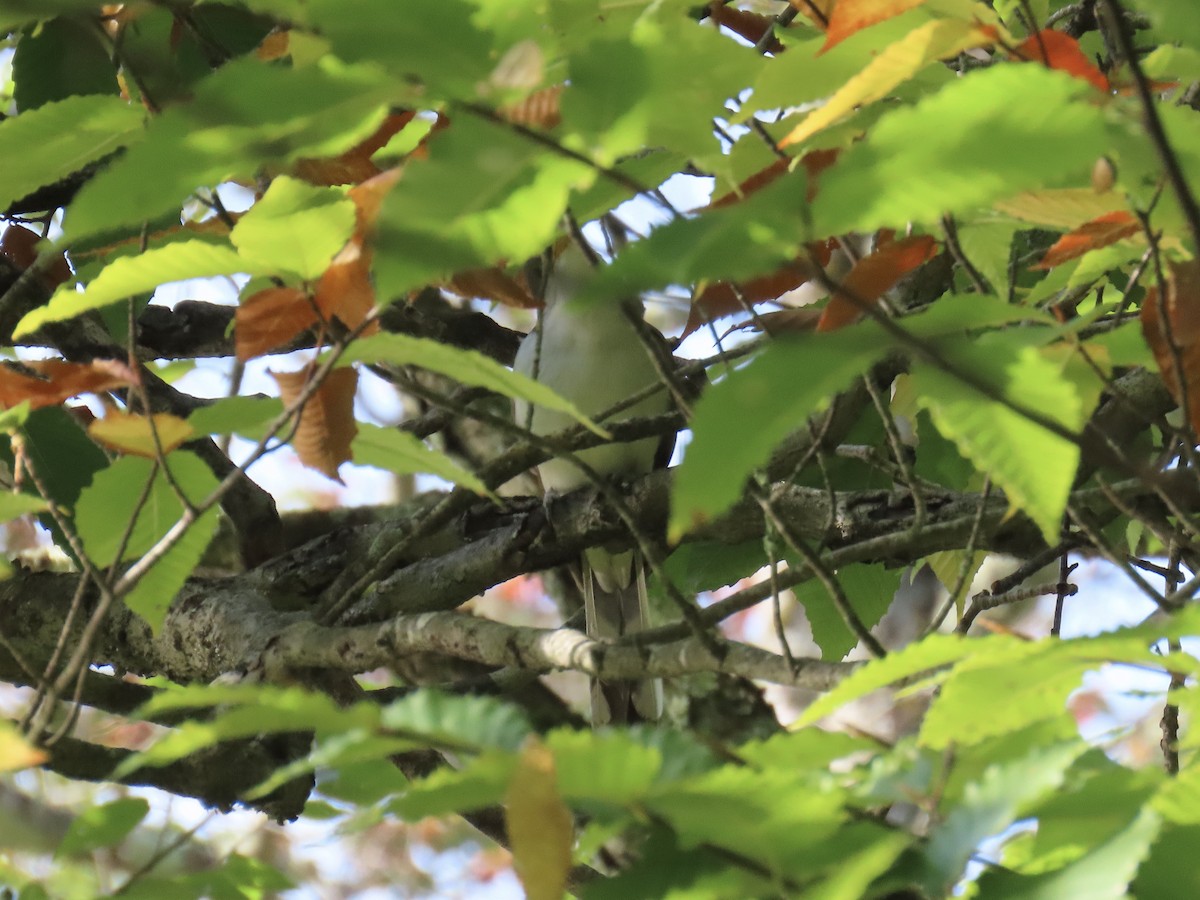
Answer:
[(295, 227)]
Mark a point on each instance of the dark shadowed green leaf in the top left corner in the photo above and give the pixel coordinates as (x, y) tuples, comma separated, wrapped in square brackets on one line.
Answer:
[(61, 59)]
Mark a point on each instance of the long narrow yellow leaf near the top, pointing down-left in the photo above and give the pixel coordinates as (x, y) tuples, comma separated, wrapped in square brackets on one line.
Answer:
[(899, 63)]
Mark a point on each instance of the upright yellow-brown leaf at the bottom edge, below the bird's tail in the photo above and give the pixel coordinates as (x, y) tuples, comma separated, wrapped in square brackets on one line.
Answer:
[(541, 827)]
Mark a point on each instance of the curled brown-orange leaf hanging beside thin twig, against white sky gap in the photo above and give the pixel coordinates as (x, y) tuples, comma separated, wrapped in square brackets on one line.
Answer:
[(327, 421)]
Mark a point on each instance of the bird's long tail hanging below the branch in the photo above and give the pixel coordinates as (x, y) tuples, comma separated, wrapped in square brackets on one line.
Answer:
[(614, 609)]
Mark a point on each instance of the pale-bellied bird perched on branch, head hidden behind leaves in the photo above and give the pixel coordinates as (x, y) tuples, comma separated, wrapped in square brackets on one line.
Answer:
[(595, 355)]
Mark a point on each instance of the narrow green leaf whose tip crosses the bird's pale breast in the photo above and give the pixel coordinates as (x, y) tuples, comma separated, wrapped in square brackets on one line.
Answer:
[(465, 367)]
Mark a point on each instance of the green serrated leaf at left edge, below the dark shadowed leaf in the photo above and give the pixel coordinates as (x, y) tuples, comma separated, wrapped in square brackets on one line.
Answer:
[(68, 136)]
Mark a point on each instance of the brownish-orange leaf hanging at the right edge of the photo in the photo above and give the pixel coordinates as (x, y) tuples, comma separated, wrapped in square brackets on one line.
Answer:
[(1181, 301)]
